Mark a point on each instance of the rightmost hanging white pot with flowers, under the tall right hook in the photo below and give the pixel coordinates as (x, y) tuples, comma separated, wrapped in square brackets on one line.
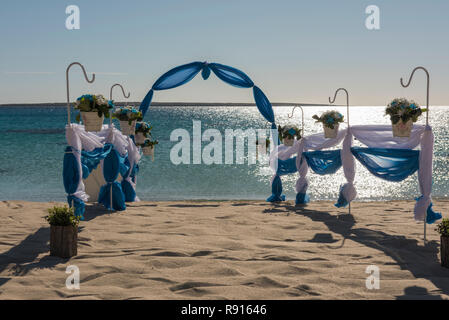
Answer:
[(403, 114)]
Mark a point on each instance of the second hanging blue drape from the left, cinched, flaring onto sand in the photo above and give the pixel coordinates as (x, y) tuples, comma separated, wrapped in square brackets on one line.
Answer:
[(111, 169)]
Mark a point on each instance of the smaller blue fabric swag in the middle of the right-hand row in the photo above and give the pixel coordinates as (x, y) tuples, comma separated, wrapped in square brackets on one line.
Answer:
[(323, 162)]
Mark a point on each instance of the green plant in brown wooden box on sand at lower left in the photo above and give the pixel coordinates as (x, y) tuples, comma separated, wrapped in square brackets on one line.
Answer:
[(63, 231)]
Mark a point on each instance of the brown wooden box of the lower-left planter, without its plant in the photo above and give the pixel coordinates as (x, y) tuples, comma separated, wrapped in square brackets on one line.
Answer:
[(63, 241)]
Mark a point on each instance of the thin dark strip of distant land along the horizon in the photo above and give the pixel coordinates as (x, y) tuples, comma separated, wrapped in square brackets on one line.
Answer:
[(169, 104)]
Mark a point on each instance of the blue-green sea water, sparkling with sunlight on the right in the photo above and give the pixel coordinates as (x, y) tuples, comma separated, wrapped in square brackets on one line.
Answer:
[(33, 141)]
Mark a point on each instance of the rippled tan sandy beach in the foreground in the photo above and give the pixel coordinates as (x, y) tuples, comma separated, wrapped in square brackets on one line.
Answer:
[(225, 250)]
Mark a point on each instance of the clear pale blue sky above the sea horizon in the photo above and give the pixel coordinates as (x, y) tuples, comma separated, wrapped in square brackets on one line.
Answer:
[(295, 51)]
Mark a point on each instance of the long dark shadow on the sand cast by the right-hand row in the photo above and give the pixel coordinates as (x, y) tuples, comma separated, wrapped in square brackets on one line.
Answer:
[(410, 254)]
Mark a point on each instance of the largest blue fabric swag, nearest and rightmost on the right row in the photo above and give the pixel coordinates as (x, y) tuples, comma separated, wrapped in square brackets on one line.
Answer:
[(388, 164)]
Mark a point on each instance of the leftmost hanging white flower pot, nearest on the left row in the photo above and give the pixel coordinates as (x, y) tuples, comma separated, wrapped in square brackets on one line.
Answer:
[(93, 110)]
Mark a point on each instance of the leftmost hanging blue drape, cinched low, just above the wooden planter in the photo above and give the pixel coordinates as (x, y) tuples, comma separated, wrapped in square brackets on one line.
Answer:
[(70, 177)]
